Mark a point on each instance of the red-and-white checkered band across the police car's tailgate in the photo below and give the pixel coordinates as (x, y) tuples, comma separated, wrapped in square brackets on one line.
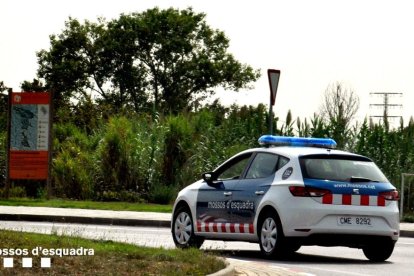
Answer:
[(347, 199)]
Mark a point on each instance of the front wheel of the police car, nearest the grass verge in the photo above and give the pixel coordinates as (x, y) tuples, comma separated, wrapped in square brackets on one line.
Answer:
[(183, 229)]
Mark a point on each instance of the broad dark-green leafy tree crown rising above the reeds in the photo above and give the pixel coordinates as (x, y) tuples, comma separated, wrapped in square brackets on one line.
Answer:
[(168, 58)]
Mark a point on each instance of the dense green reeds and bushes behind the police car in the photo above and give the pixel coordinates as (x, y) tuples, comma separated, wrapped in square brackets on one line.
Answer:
[(133, 157)]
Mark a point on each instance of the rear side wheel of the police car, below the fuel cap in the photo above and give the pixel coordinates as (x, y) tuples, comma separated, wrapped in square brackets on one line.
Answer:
[(271, 238)]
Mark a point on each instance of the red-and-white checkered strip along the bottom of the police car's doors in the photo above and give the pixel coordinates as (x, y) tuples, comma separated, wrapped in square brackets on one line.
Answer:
[(224, 227)]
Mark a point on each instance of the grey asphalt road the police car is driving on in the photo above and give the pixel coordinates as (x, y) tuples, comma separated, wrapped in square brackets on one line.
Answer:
[(310, 260)]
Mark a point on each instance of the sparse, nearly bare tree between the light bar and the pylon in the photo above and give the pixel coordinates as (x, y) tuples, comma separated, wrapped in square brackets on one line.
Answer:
[(338, 109)]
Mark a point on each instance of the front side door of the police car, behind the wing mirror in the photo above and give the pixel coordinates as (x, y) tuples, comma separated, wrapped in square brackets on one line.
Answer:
[(213, 201)]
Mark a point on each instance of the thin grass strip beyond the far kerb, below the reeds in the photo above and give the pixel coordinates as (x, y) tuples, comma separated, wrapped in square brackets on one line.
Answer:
[(60, 203)]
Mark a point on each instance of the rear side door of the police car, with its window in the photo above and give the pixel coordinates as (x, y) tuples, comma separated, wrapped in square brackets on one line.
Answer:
[(249, 191)]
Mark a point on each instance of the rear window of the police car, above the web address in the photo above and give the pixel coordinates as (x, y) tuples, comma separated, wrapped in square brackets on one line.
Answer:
[(341, 168)]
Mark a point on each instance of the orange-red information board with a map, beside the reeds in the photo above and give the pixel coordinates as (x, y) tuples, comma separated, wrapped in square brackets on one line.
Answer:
[(29, 135)]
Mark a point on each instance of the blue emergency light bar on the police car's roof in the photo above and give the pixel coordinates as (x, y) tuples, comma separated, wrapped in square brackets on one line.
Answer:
[(271, 140)]
